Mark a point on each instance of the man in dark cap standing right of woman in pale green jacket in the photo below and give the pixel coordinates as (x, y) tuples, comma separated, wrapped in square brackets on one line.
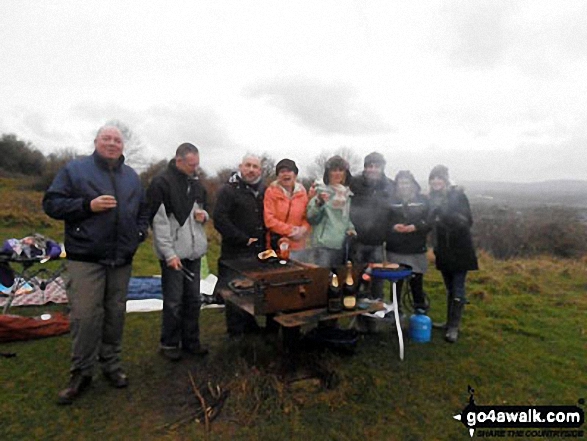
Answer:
[(372, 192)]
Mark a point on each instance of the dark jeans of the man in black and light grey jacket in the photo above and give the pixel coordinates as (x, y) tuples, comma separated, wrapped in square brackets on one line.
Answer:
[(181, 306)]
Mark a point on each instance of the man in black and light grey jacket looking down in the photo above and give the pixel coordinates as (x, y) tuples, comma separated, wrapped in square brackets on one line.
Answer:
[(177, 201)]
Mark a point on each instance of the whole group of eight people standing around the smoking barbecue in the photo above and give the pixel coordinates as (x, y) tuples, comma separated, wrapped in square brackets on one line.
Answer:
[(107, 214)]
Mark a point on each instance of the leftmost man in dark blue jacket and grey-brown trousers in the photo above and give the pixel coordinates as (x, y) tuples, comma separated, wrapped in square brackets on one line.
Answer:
[(106, 217)]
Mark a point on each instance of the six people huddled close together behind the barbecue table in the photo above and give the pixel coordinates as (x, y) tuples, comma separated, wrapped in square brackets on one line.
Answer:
[(387, 220)]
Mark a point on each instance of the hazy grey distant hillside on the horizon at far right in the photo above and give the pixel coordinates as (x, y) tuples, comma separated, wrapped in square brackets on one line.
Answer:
[(570, 193)]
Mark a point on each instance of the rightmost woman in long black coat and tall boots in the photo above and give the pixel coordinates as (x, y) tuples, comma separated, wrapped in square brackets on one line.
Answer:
[(451, 221)]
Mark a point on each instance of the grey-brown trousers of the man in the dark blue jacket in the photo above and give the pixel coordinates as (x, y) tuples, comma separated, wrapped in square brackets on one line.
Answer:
[(97, 298)]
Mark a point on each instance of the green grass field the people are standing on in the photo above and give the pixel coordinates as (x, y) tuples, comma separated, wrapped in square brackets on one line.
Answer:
[(524, 342)]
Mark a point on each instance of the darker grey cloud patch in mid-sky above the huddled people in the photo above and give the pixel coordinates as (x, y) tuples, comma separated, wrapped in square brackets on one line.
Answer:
[(324, 108)]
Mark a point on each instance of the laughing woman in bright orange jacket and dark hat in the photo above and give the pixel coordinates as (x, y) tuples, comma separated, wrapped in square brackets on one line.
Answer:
[(285, 209)]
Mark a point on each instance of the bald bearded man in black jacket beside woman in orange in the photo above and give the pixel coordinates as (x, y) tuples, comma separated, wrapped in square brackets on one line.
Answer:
[(238, 217)]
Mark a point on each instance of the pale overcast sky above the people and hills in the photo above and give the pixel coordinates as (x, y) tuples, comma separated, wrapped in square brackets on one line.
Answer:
[(495, 90)]
